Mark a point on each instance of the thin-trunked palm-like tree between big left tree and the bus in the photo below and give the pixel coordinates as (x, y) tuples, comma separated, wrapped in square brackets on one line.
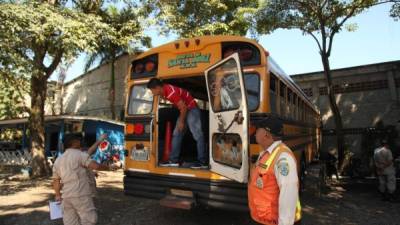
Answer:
[(126, 27)]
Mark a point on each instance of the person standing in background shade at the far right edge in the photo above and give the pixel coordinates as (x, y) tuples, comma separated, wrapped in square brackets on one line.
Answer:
[(385, 170)]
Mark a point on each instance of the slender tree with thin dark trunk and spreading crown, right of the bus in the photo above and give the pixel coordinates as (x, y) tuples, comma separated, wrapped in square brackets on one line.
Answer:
[(322, 20)]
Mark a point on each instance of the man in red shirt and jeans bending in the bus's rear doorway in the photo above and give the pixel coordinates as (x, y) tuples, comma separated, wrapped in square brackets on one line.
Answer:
[(189, 116)]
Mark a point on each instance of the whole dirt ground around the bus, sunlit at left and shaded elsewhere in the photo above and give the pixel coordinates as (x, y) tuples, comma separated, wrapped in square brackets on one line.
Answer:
[(347, 203)]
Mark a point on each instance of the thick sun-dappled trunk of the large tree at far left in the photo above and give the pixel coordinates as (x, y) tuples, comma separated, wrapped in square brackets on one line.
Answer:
[(36, 125)]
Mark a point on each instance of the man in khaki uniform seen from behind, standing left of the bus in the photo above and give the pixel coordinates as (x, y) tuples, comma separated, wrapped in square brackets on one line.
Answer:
[(71, 183)]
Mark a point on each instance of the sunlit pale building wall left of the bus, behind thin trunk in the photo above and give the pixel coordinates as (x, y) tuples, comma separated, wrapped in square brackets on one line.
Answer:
[(89, 93)]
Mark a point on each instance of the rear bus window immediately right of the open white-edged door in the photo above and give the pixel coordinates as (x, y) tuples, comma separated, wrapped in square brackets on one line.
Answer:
[(252, 85)]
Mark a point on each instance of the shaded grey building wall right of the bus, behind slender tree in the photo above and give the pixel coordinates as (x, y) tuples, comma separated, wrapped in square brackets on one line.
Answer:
[(366, 96)]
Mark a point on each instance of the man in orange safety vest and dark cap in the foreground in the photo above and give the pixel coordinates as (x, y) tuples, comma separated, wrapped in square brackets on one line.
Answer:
[(273, 186)]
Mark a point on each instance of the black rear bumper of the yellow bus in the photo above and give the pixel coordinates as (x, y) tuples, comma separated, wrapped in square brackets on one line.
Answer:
[(227, 195)]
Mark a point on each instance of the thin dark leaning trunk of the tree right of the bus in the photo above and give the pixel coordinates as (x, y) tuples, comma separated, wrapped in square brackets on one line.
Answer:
[(335, 110)]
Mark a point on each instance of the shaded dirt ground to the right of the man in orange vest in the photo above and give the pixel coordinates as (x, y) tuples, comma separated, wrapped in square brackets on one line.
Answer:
[(350, 202)]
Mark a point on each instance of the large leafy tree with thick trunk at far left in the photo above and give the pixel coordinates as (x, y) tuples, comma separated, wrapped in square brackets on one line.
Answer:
[(35, 37)]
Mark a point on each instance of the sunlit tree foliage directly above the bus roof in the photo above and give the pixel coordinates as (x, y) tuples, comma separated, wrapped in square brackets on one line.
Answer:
[(189, 18)]
